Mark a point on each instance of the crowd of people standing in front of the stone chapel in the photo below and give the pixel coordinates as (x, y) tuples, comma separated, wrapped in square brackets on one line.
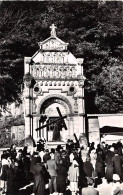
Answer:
[(71, 170)]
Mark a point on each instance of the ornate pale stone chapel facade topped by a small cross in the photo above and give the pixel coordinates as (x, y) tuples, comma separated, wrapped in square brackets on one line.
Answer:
[(53, 78)]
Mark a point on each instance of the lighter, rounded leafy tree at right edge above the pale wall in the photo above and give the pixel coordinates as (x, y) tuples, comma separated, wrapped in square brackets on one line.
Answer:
[(110, 89)]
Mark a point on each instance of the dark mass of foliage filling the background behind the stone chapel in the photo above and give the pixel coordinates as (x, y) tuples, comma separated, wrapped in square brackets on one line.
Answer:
[(94, 31)]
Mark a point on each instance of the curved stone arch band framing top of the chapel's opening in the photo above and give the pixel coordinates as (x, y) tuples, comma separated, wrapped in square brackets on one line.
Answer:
[(64, 99)]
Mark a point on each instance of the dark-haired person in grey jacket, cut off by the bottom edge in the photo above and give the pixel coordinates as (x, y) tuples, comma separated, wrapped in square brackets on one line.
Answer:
[(90, 189)]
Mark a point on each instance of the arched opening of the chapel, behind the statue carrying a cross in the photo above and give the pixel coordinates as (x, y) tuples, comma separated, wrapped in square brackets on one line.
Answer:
[(50, 117)]
